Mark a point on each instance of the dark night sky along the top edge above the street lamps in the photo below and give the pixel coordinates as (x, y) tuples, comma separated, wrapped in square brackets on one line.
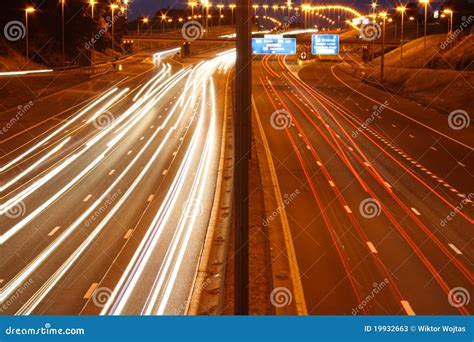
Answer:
[(149, 7)]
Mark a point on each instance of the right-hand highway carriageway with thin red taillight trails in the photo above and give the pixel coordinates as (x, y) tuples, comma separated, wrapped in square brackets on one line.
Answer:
[(382, 217)]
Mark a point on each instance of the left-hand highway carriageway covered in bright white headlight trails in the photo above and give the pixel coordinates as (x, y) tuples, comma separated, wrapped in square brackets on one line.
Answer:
[(105, 204)]
